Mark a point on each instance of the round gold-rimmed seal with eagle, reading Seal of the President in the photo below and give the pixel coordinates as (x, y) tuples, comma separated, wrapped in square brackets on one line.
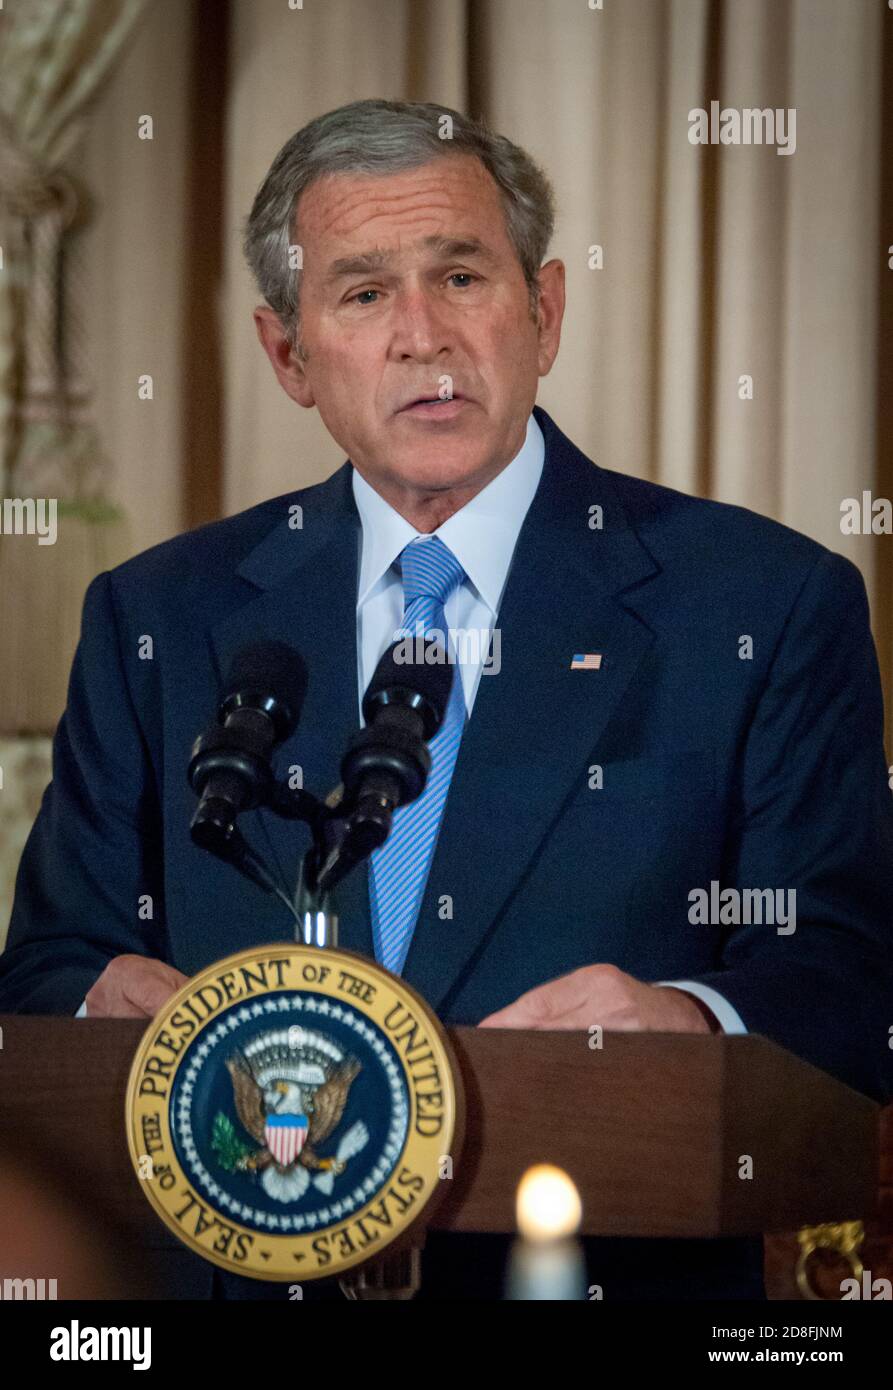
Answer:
[(291, 1110)]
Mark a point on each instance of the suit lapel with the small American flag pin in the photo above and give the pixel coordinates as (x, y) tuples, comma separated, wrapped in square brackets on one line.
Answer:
[(536, 725)]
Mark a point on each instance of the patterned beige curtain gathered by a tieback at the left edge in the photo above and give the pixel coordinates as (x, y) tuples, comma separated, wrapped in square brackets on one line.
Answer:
[(54, 58)]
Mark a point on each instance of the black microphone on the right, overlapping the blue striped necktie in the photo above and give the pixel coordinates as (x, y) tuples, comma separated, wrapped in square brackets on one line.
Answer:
[(387, 762)]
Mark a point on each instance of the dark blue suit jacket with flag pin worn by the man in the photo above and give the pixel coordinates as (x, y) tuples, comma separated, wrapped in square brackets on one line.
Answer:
[(757, 774)]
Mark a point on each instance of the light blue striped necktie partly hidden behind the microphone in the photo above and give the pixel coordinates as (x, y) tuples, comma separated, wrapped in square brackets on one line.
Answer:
[(400, 869)]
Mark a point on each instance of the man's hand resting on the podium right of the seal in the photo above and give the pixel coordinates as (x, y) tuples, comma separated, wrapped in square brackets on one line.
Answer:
[(602, 995)]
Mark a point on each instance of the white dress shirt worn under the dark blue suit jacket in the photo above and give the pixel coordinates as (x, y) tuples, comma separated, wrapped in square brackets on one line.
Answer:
[(482, 536)]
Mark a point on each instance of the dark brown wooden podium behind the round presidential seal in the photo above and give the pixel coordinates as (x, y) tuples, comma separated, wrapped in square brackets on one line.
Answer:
[(664, 1135)]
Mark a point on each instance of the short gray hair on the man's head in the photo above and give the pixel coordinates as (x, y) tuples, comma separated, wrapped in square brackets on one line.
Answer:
[(378, 138)]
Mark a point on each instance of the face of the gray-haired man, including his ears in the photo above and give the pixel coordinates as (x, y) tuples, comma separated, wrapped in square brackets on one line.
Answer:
[(412, 290)]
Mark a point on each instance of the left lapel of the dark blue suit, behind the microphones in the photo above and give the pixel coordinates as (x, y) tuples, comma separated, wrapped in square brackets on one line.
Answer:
[(308, 583)]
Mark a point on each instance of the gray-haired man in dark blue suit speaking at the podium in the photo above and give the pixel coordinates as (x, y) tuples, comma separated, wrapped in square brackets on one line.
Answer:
[(660, 797)]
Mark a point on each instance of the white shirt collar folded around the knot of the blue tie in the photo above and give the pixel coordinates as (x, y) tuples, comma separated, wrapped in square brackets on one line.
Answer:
[(482, 534)]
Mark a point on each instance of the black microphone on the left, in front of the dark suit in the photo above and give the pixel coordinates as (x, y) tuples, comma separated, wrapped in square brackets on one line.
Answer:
[(230, 768)]
